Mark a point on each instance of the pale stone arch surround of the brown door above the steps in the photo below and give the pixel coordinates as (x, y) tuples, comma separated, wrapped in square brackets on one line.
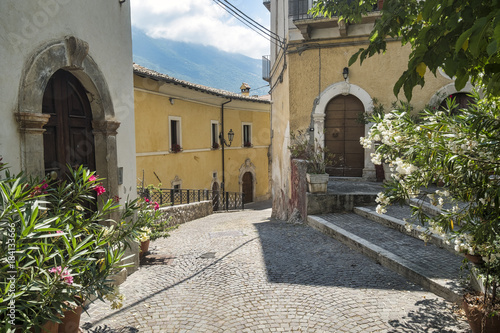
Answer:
[(318, 115)]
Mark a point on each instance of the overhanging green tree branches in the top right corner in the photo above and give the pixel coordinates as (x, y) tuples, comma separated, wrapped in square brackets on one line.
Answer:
[(460, 36)]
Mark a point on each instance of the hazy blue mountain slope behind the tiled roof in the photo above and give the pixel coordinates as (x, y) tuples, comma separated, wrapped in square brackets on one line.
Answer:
[(198, 64)]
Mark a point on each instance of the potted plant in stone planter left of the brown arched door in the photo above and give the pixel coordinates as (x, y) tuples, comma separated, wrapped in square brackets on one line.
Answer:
[(317, 157)]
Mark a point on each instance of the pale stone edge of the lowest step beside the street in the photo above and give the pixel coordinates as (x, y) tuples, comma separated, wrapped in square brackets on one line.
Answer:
[(386, 258)]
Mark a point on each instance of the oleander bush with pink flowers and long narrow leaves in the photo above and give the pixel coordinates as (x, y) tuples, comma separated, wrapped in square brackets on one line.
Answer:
[(63, 246)]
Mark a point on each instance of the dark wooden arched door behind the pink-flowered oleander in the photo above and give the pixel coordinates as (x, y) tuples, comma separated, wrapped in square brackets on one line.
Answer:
[(68, 139)]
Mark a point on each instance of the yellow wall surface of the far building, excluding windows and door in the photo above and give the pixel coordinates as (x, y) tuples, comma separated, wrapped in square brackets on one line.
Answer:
[(197, 162)]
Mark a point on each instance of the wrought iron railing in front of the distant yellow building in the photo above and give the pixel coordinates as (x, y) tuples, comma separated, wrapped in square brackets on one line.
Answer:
[(220, 200)]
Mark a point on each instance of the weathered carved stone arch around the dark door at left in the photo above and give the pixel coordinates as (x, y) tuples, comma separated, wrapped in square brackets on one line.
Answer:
[(70, 54)]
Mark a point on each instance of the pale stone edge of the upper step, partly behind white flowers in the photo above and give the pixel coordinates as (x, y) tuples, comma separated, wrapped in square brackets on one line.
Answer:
[(400, 225)]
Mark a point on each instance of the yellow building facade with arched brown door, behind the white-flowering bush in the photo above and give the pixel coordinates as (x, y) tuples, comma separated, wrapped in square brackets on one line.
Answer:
[(313, 89)]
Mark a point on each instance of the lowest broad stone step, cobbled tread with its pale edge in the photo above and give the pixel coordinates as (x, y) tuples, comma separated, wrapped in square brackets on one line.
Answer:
[(432, 267)]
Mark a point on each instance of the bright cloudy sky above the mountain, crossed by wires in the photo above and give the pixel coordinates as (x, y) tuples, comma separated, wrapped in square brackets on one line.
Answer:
[(203, 22)]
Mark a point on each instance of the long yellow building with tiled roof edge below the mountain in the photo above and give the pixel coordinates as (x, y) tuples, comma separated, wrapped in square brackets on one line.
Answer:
[(178, 144)]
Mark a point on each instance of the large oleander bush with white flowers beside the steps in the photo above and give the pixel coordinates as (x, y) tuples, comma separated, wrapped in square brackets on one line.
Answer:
[(461, 150)]
